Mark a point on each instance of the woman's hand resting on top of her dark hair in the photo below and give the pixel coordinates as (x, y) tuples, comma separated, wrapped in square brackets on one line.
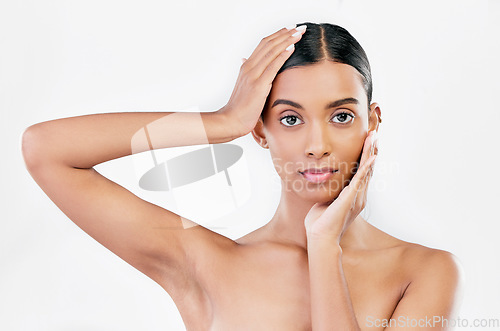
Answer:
[(255, 79)]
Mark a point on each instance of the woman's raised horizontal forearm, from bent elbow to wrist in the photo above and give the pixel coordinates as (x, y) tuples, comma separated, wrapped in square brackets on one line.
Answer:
[(85, 141)]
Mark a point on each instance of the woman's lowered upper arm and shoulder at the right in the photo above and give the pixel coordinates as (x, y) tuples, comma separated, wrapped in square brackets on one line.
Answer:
[(433, 296)]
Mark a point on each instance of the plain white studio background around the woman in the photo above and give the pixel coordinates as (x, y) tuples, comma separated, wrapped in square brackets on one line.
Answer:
[(436, 78)]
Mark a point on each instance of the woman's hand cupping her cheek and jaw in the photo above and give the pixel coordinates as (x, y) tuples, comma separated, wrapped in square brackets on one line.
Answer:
[(329, 221)]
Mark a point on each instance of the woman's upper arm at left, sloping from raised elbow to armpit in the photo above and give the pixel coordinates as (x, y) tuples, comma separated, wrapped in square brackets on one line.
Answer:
[(155, 241)]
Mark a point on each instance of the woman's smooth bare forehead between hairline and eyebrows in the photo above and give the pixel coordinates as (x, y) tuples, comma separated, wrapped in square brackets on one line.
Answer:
[(326, 80)]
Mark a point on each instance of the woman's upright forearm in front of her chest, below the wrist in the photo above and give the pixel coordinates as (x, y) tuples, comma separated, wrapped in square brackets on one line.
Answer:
[(331, 306)]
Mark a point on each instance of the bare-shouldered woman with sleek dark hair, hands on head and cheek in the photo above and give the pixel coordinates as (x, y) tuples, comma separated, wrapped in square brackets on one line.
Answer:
[(317, 264)]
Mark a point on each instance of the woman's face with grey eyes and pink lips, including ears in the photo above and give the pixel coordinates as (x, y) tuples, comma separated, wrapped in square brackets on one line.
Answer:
[(317, 116)]
